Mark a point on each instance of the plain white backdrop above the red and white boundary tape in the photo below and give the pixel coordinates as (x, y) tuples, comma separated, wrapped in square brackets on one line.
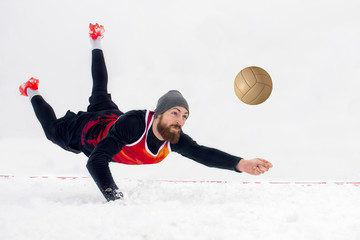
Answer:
[(308, 128)]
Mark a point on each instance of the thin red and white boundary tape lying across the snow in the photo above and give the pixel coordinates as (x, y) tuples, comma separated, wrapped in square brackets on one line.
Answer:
[(355, 183)]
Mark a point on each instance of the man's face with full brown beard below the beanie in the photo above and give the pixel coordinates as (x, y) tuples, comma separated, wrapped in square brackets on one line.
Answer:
[(171, 122)]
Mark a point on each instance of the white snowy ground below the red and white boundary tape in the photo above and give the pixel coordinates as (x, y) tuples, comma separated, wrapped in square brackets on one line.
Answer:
[(53, 208)]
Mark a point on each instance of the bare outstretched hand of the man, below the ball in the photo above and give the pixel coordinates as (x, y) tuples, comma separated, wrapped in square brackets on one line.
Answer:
[(254, 166)]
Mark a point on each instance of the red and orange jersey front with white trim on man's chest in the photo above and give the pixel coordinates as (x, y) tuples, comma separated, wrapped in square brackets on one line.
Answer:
[(138, 152)]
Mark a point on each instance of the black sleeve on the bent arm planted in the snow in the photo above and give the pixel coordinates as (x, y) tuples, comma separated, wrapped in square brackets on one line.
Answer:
[(127, 129)]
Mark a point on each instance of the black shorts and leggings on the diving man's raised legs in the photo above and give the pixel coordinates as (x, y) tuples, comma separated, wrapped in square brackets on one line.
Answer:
[(62, 131)]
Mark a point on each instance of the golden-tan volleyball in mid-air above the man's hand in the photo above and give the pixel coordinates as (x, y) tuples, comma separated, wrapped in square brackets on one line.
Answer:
[(253, 85)]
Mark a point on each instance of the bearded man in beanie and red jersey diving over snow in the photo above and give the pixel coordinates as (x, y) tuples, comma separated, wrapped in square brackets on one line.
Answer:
[(106, 134)]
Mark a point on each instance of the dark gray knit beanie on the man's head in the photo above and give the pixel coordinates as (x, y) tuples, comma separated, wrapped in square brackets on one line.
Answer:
[(169, 100)]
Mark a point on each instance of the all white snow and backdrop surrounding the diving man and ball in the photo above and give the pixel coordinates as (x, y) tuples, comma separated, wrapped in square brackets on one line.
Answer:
[(308, 128)]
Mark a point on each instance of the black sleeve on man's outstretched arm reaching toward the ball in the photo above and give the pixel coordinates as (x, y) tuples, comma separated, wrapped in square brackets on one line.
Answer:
[(210, 157)]
